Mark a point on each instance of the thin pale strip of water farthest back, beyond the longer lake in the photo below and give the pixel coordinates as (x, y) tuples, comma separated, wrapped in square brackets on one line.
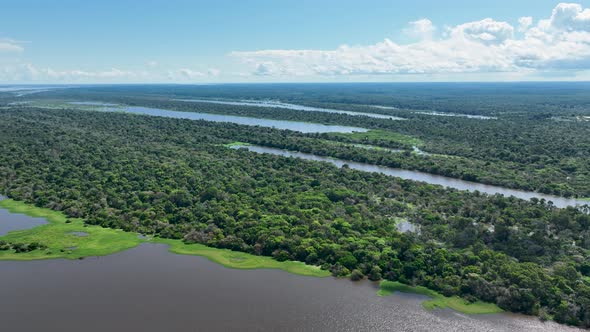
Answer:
[(278, 104)]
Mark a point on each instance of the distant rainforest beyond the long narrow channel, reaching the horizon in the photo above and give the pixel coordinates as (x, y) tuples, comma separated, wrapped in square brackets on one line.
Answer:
[(535, 142)]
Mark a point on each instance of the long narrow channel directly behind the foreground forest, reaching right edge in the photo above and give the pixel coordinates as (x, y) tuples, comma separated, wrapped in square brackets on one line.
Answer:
[(421, 176)]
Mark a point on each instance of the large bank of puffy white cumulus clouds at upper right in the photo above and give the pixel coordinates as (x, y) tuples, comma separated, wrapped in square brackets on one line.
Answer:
[(560, 42)]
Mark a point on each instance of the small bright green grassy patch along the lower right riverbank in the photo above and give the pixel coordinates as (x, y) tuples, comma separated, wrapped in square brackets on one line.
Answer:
[(438, 300)]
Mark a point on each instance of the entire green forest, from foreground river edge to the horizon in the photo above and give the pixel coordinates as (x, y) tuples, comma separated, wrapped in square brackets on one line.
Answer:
[(173, 179)]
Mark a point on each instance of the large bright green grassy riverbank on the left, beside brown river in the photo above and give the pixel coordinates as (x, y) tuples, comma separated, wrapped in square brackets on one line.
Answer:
[(61, 238)]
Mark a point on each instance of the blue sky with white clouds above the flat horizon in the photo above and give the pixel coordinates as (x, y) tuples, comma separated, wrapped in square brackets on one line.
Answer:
[(223, 41)]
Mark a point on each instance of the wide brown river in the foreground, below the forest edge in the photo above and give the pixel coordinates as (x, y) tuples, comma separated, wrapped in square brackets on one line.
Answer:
[(150, 289)]
